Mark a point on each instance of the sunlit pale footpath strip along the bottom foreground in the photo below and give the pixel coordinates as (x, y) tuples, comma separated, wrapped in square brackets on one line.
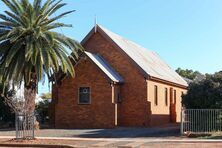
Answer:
[(119, 143)]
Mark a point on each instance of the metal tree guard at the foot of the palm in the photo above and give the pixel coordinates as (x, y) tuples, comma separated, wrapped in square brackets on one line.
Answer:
[(24, 126)]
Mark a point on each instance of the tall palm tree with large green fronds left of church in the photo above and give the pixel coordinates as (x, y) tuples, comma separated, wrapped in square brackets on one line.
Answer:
[(30, 48)]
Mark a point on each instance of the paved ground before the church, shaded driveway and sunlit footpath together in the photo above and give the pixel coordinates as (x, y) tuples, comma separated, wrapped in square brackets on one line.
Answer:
[(167, 137)]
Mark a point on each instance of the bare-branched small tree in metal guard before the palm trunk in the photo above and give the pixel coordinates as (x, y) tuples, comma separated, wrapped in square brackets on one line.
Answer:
[(21, 106)]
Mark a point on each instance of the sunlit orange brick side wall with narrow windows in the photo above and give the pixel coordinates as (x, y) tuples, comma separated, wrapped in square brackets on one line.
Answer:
[(164, 113)]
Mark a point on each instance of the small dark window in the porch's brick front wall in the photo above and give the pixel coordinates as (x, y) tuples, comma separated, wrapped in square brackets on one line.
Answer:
[(84, 95)]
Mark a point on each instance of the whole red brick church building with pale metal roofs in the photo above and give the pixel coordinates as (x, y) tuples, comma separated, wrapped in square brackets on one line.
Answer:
[(117, 83)]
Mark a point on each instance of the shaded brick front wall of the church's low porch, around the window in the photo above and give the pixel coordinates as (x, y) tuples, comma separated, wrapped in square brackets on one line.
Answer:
[(99, 114)]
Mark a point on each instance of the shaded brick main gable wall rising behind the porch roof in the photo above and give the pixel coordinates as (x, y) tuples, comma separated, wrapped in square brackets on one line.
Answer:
[(134, 109)]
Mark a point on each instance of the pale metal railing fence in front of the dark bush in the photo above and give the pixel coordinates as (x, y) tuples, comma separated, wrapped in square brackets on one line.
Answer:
[(201, 120)]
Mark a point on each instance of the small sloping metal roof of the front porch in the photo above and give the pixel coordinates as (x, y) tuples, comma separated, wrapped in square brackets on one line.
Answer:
[(105, 67)]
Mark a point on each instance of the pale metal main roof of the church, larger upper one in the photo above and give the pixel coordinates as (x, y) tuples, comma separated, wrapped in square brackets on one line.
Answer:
[(150, 62)]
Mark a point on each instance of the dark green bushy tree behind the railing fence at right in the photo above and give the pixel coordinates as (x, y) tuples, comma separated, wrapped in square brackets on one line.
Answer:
[(205, 94)]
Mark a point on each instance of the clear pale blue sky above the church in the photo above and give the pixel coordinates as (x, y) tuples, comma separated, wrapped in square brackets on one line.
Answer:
[(185, 33)]
